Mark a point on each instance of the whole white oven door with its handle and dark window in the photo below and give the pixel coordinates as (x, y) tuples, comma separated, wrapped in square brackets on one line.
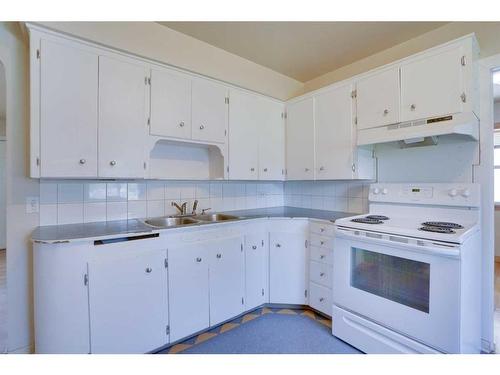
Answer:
[(410, 286)]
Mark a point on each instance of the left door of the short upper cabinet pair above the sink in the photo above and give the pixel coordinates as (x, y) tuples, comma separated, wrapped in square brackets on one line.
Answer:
[(170, 104)]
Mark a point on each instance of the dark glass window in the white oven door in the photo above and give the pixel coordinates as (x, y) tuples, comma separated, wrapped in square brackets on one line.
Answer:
[(401, 280)]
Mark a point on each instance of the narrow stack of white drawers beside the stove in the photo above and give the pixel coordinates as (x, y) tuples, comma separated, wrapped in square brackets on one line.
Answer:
[(321, 266)]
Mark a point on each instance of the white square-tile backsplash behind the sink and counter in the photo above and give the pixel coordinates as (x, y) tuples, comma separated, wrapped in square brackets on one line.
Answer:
[(70, 202)]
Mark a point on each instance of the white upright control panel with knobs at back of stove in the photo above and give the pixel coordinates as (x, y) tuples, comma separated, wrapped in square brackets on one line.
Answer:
[(439, 194)]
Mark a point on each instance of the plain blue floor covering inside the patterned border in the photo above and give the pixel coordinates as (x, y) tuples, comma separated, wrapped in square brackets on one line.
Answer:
[(275, 334)]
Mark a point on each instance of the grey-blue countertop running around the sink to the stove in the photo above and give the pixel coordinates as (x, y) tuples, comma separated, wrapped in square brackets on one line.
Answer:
[(67, 232)]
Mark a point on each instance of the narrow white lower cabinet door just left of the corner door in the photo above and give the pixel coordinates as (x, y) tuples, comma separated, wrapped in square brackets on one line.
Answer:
[(256, 267)]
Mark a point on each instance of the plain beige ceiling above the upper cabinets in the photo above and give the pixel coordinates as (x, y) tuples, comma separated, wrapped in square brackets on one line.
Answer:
[(303, 50)]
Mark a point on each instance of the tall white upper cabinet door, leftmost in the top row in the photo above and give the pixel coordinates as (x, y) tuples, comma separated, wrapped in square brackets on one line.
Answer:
[(68, 111)]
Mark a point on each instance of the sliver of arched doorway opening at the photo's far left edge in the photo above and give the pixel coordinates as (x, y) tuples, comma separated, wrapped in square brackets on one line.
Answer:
[(3, 214)]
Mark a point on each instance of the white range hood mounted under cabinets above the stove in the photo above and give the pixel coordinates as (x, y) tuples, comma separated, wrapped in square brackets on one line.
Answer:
[(464, 125)]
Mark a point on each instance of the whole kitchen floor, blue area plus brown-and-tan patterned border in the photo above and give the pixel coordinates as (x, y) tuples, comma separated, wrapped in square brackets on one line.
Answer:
[(268, 331)]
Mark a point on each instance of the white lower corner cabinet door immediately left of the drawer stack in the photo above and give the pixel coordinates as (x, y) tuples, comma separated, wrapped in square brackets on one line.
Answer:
[(288, 268)]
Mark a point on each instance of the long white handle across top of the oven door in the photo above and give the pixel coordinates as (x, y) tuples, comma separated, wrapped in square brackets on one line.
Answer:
[(425, 246)]
